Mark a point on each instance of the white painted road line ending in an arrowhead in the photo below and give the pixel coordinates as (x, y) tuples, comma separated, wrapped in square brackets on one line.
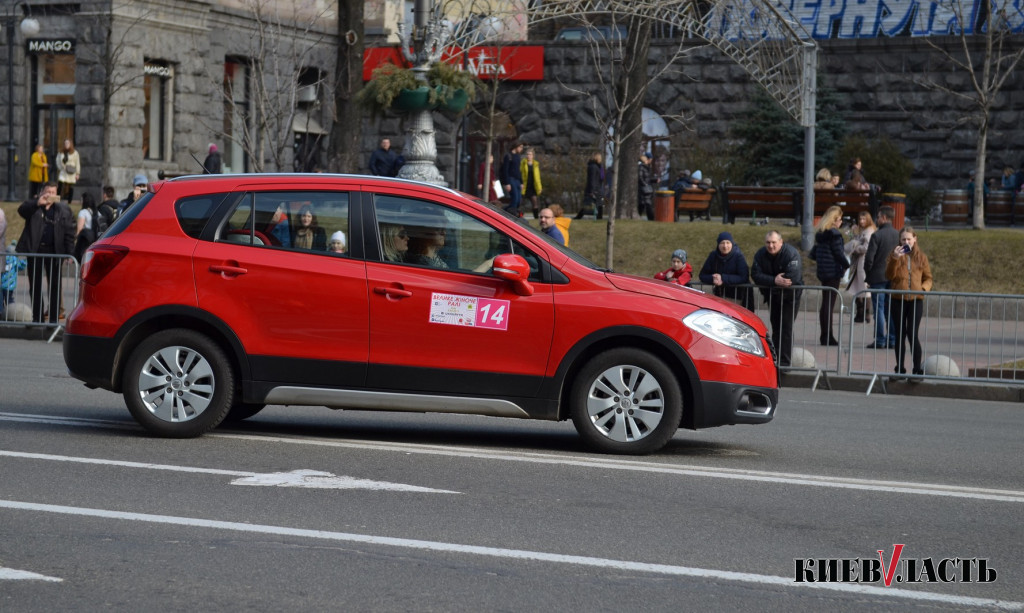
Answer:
[(300, 478)]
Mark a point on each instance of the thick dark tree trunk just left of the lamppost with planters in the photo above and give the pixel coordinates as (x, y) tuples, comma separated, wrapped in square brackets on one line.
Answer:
[(347, 130)]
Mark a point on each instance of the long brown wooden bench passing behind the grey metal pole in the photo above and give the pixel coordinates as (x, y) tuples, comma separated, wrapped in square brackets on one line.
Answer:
[(788, 203)]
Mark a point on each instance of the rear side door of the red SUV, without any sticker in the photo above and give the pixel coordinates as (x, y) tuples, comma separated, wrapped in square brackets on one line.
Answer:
[(300, 311)]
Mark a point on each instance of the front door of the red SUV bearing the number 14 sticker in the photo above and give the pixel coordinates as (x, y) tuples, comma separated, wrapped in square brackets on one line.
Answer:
[(439, 326)]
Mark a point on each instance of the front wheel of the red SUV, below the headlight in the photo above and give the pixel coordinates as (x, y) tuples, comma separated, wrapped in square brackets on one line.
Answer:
[(626, 402)]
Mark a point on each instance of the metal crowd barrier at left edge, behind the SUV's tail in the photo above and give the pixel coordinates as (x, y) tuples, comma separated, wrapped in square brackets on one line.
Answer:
[(18, 306)]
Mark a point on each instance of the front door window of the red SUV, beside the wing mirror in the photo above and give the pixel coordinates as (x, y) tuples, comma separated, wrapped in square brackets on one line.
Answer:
[(424, 234)]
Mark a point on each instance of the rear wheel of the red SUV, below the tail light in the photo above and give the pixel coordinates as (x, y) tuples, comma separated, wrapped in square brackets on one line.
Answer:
[(179, 384)]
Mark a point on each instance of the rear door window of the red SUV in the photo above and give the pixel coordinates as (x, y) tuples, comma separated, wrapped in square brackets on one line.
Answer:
[(316, 222)]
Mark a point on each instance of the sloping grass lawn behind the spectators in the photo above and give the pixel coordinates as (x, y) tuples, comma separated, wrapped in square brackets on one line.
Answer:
[(963, 259)]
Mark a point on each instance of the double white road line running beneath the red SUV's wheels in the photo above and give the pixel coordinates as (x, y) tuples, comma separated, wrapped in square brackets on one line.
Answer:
[(933, 490)]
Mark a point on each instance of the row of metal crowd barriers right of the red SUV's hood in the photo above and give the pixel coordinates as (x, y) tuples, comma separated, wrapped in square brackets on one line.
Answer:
[(975, 338)]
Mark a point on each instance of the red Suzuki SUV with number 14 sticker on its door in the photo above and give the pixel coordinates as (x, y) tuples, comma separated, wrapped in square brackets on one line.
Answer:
[(215, 296)]
